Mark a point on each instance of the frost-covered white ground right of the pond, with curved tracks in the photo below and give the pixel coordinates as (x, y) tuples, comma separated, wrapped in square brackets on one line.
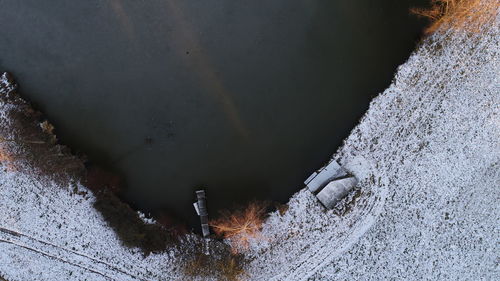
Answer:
[(427, 154)]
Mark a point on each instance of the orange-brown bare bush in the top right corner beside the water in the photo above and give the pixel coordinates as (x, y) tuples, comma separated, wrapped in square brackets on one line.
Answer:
[(468, 15)]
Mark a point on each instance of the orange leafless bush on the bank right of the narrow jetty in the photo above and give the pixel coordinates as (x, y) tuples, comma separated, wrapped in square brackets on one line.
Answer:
[(242, 226)]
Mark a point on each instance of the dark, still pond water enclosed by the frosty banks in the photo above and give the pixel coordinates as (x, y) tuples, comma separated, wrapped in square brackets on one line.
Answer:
[(244, 98)]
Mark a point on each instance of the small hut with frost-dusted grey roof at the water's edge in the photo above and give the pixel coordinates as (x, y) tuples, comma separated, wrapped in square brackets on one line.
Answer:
[(330, 184)]
